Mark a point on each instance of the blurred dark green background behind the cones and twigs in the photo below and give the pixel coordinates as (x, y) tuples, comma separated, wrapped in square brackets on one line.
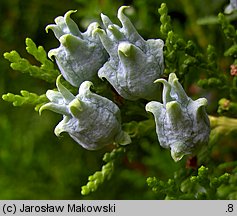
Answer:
[(34, 163)]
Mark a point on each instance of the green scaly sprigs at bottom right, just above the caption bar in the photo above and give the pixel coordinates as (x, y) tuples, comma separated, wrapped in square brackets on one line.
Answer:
[(200, 186)]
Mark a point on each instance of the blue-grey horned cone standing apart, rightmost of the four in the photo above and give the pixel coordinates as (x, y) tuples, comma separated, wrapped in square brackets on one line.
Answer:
[(181, 123)]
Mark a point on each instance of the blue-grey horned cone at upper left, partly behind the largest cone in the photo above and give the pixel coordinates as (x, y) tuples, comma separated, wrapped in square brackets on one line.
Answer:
[(79, 55)]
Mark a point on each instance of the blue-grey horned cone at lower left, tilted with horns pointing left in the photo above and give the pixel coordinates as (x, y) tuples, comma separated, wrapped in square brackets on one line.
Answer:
[(90, 119)]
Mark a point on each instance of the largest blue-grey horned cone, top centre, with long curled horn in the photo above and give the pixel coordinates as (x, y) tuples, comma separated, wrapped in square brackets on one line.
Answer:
[(134, 63)]
